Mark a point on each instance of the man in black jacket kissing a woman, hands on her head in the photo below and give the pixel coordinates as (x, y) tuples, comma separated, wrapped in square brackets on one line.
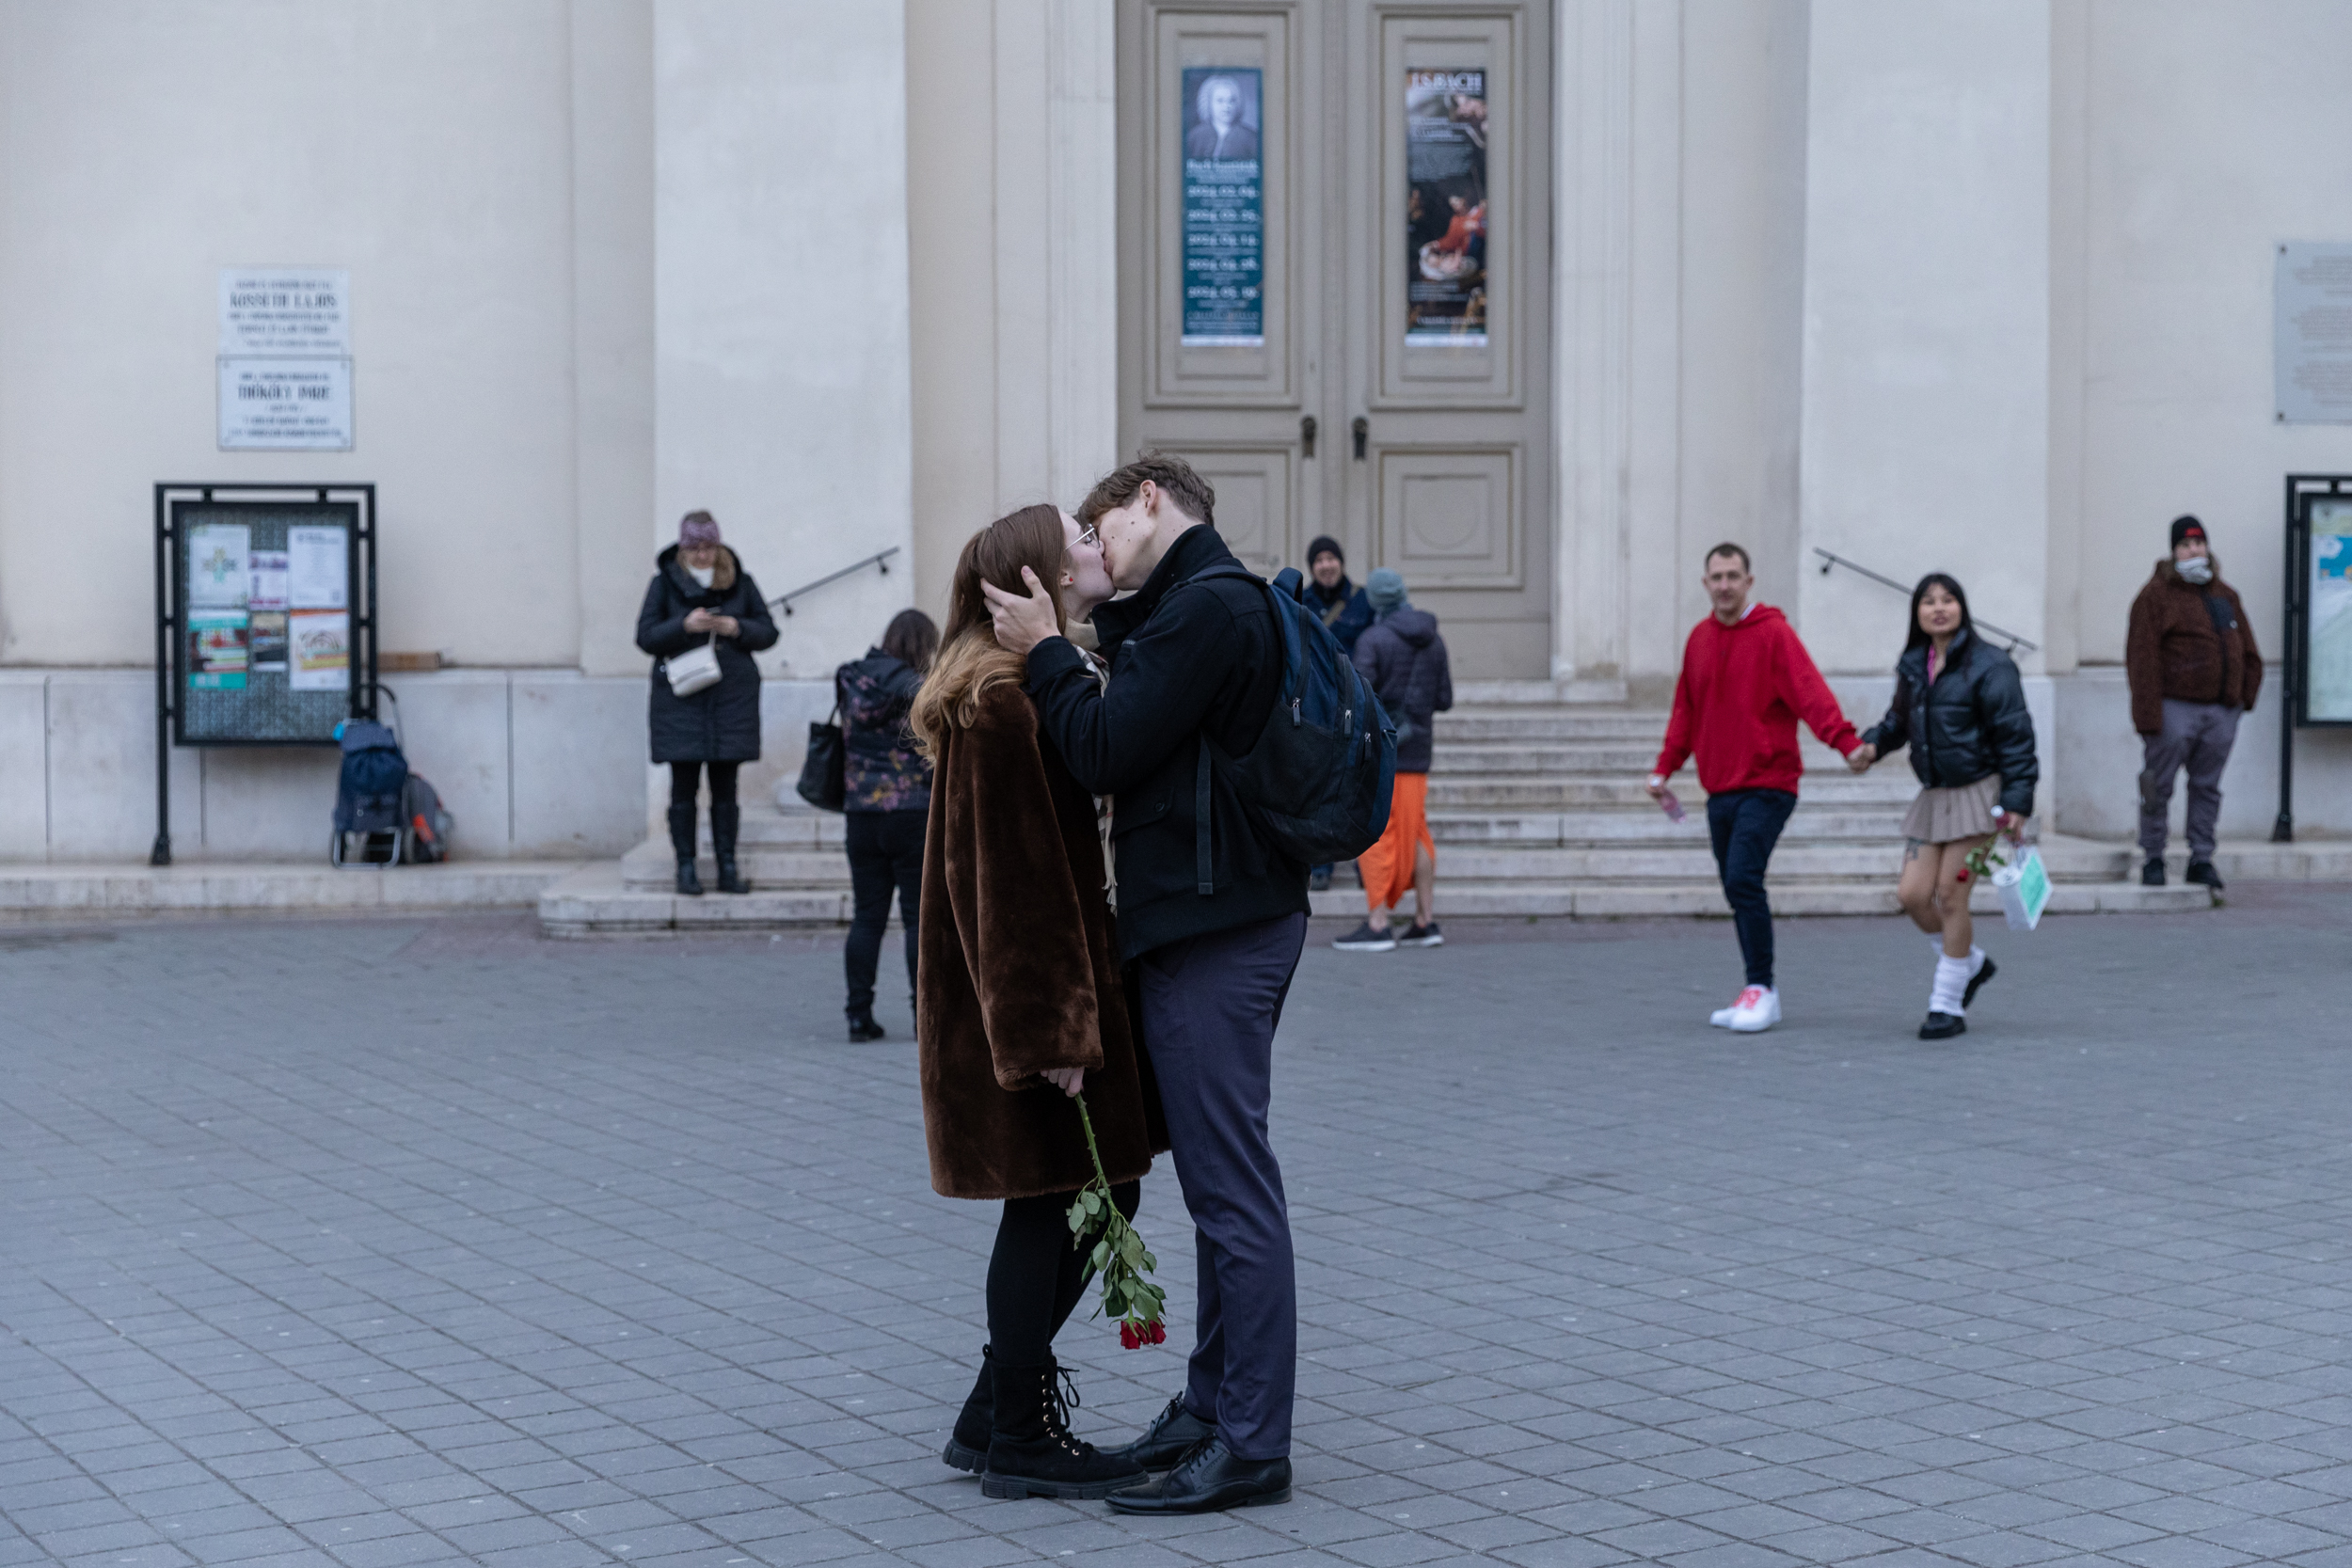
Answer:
[(1212, 927)]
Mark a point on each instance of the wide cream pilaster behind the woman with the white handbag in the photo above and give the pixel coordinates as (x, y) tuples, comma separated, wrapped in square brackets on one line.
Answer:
[(782, 302)]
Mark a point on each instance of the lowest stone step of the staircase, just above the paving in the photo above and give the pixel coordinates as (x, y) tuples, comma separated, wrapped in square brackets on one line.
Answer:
[(596, 902)]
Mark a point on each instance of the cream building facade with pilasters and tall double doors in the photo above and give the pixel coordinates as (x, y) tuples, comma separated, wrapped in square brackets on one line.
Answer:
[(1975, 286)]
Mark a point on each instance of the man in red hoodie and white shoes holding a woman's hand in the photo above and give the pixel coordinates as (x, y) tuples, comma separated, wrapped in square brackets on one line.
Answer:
[(1746, 681)]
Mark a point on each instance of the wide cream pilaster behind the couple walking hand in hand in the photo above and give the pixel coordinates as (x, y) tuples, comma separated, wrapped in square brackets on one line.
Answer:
[(1927, 316)]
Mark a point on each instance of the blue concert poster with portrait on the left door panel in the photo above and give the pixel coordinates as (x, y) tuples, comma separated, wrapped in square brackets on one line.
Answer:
[(1224, 208)]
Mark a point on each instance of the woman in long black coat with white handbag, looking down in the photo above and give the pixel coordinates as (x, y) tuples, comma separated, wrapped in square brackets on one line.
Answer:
[(702, 596)]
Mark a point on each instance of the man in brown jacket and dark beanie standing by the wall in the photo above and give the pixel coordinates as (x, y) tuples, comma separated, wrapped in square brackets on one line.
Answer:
[(2193, 669)]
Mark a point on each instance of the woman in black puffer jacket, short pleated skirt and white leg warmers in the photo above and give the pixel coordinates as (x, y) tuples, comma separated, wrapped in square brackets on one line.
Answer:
[(1960, 706)]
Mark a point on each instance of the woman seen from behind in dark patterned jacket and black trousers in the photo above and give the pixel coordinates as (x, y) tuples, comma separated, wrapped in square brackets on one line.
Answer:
[(886, 803)]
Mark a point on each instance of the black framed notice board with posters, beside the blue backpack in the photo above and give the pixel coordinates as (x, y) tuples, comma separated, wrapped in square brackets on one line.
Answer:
[(265, 619)]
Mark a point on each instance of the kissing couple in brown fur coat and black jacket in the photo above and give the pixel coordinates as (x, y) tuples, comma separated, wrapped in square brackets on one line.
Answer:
[(1100, 918)]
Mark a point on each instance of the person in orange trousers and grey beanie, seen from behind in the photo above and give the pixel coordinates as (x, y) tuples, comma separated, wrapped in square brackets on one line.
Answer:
[(1405, 662)]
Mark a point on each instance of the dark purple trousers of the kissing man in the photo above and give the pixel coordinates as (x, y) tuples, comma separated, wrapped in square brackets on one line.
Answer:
[(1210, 1012)]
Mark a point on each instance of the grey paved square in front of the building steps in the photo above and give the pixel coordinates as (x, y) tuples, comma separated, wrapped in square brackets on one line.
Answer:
[(1582, 1282)]
